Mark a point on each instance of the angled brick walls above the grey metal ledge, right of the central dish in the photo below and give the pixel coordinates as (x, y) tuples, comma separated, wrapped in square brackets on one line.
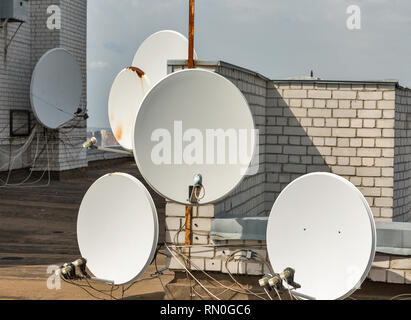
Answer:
[(347, 128)]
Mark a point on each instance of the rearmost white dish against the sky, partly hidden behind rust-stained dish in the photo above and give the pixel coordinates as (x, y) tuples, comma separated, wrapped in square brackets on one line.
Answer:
[(156, 50)]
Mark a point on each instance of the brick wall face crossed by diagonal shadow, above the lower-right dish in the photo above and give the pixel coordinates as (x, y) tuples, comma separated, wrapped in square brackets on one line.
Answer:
[(346, 129)]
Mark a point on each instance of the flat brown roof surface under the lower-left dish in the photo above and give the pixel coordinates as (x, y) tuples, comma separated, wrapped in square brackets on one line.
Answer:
[(38, 229)]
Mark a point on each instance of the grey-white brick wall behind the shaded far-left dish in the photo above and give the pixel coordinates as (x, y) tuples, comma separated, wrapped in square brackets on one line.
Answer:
[(31, 42)]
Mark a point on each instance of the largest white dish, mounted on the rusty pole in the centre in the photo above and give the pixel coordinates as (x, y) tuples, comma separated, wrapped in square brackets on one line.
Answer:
[(199, 107)]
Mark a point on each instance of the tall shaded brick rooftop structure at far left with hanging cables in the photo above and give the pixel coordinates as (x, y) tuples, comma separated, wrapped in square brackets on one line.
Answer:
[(57, 150)]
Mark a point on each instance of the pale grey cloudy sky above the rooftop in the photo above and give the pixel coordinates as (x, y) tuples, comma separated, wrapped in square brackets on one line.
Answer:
[(277, 38)]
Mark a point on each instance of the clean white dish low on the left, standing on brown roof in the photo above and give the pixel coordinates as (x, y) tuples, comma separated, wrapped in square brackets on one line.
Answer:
[(117, 228)]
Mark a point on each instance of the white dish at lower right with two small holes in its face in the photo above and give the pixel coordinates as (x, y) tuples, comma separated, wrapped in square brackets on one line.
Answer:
[(323, 228)]
